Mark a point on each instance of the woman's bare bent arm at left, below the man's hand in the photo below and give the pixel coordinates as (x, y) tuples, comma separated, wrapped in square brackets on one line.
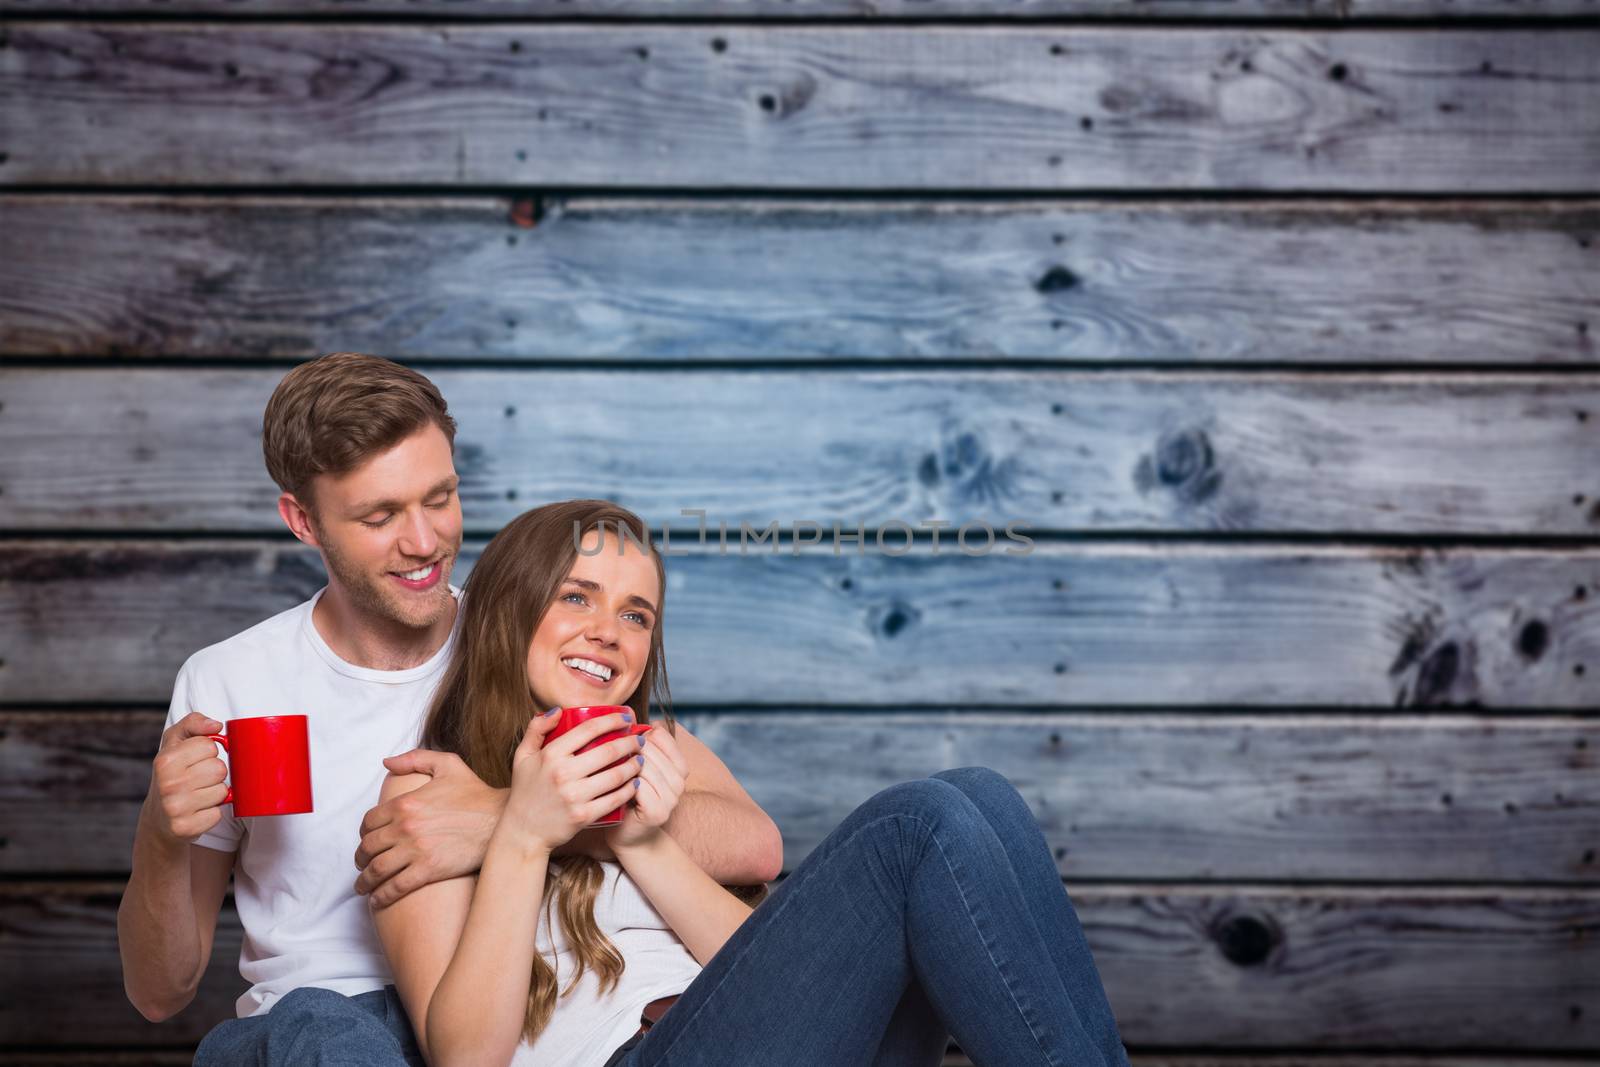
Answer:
[(463, 949)]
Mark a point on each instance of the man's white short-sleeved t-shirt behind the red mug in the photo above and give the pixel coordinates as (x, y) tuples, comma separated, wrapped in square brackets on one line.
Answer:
[(295, 876)]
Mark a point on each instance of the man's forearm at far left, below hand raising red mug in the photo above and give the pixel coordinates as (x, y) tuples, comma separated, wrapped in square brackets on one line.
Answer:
[(158, 935)]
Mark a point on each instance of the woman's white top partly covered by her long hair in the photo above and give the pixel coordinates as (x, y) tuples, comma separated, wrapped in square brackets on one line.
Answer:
[(586, 1026)]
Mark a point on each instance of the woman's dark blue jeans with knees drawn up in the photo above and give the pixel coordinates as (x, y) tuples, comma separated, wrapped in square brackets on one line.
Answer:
[(934, 911)]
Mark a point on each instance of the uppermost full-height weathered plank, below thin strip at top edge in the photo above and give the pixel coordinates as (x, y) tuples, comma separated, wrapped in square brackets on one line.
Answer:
[(788, 108)]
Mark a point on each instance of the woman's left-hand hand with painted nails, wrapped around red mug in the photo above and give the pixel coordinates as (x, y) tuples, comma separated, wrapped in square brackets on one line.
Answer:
[(558, 791)]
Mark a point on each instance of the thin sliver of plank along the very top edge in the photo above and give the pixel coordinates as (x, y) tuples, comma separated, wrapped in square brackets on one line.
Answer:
[(865, 10)]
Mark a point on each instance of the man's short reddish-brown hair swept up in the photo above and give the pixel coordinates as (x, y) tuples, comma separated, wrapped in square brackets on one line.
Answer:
[(334, 414)]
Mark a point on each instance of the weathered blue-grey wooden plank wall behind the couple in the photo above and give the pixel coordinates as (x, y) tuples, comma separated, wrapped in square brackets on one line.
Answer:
[(1274, 322)]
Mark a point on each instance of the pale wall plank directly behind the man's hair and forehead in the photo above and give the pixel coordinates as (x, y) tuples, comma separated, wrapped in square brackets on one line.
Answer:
[(1057, 450)]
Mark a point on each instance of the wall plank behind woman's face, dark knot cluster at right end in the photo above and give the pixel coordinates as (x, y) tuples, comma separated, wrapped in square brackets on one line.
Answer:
[(1066, 625)]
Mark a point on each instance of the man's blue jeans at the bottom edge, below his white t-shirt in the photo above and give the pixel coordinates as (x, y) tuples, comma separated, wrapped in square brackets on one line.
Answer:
[(318, 1028)]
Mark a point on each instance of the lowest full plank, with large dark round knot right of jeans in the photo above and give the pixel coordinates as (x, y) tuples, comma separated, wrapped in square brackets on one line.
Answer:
[(1236, 967)]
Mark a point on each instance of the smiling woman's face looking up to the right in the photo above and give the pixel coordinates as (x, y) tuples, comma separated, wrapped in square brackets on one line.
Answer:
[(594, 642)]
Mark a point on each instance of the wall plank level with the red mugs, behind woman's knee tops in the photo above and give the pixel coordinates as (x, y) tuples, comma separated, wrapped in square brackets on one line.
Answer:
[(1286, 797)]
